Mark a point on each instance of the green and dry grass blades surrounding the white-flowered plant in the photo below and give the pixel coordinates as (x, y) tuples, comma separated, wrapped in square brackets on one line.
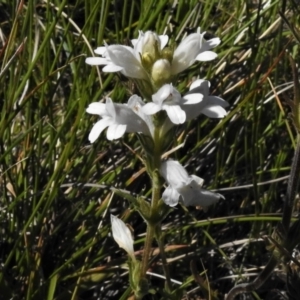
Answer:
[(55, 187)]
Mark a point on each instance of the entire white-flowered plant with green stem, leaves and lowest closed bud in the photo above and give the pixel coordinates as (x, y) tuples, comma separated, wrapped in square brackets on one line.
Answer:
[(152, 65)]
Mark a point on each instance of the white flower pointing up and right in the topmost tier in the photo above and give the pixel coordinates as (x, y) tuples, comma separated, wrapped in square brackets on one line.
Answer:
[(193, 47)]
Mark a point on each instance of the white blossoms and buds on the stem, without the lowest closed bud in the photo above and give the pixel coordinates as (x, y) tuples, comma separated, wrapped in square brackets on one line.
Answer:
[(153, 65)]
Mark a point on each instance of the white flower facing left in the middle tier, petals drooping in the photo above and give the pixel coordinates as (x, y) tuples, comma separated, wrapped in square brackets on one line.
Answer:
[(119, 118)]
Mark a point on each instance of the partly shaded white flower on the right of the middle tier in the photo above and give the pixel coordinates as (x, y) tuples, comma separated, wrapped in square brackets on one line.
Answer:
[(211, 106)]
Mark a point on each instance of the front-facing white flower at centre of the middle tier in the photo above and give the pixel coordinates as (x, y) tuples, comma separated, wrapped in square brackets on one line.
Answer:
[(169, 99)]
